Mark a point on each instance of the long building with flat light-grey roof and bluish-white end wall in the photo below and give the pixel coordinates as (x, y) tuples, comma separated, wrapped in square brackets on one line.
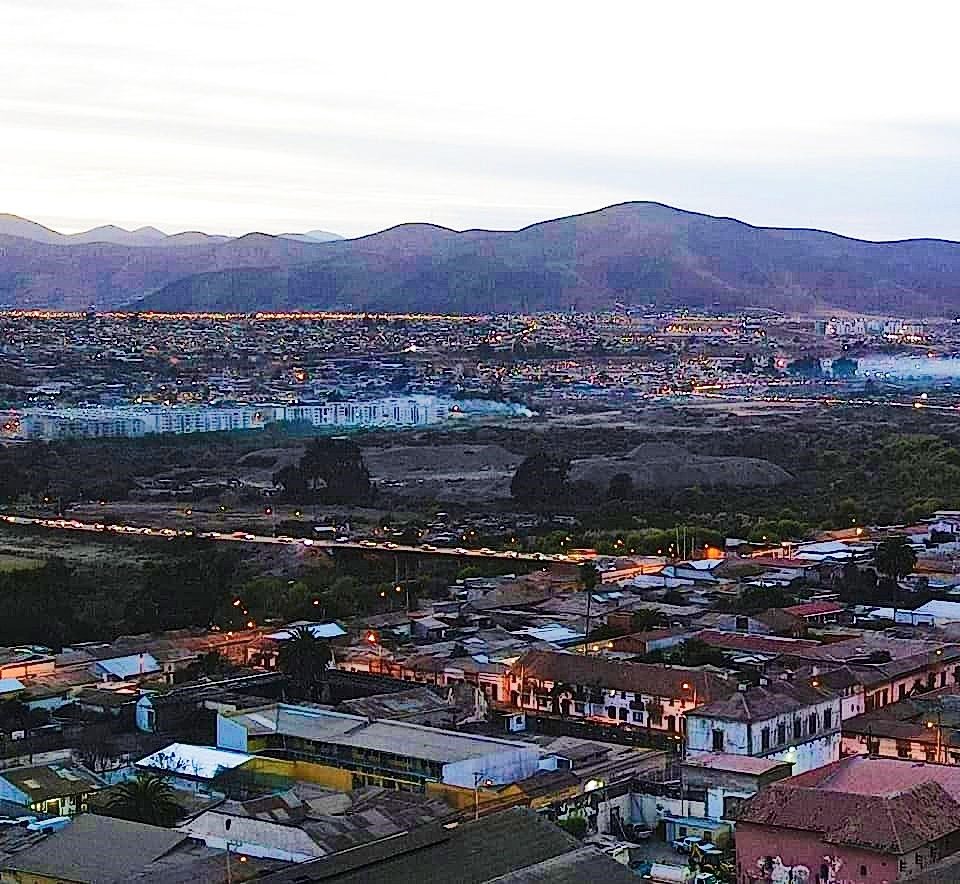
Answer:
[(407, 755)]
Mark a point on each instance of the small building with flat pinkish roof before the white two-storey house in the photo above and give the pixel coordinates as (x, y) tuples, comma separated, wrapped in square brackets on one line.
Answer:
[(729, 779)]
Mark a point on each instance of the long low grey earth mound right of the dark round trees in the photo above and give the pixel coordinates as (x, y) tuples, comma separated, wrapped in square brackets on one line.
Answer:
[(663, 465)]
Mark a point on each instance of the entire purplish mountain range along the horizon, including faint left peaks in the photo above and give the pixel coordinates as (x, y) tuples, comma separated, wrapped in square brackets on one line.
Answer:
[(634, 253)]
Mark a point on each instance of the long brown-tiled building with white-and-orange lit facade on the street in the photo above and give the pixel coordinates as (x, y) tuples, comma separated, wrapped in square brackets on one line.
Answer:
[(587, 687)]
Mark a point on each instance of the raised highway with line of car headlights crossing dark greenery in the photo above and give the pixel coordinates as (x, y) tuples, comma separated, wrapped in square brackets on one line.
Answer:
[(61, 524)]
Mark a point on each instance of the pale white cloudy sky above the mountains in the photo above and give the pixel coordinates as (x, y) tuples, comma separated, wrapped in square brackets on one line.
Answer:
[(351, 117)]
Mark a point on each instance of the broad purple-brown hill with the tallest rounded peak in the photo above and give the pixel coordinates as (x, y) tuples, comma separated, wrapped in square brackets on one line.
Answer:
[(633, 253)]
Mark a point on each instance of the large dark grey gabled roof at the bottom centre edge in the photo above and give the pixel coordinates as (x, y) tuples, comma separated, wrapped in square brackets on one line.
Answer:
[(514, 846)]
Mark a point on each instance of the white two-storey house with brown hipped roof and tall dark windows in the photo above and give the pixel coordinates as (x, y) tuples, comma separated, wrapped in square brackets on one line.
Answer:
[(782, 720)]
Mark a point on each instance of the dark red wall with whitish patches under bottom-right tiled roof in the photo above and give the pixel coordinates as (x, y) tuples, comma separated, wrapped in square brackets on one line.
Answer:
[(802, 854)]
